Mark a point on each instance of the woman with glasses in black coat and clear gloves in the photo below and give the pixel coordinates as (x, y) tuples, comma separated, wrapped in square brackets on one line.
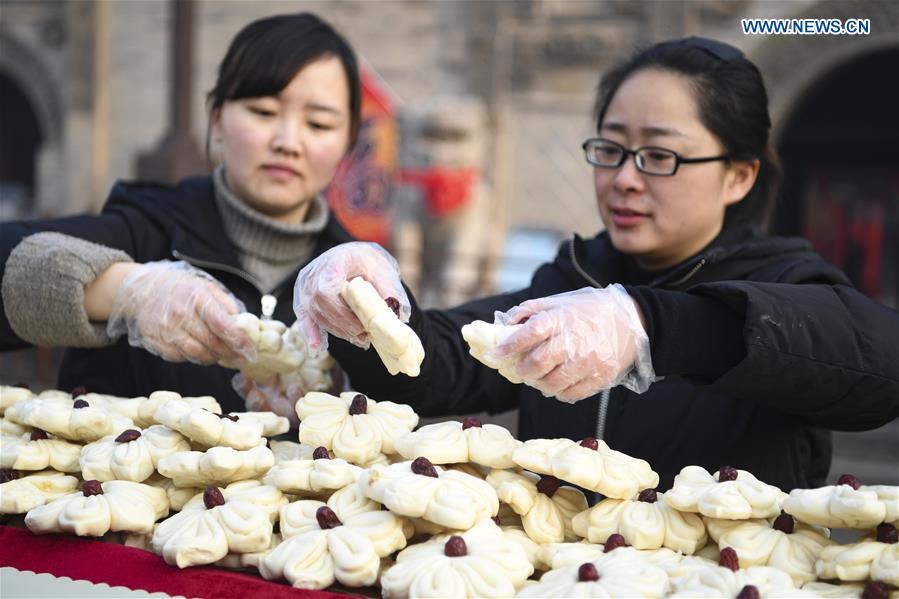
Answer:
[(682, 334)]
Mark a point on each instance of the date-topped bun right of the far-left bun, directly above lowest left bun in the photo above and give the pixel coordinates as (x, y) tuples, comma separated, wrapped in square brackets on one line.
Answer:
[(131, 455)]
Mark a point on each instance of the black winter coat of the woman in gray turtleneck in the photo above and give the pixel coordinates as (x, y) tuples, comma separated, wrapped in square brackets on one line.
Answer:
[(155, 222)]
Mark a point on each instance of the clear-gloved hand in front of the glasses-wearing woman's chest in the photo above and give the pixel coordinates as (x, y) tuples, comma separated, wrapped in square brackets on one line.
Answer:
[(573, 345)]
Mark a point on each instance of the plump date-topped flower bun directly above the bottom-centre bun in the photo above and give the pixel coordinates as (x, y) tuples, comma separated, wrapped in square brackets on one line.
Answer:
[(419, 489)]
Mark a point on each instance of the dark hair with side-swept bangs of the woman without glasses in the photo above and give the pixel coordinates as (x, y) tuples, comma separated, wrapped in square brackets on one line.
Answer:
[(265, 56)]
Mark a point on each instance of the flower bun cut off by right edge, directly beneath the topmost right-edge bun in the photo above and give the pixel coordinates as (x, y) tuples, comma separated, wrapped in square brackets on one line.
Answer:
[(874, 557)]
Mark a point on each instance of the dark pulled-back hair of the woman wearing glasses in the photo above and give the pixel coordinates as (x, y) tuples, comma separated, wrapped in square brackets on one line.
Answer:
[(732, 103)]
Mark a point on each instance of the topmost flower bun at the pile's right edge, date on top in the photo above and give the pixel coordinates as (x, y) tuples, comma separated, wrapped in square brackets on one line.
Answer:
[(848, 504)]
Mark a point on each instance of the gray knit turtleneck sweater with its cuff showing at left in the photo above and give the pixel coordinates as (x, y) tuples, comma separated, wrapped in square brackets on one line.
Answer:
[(48, 310)]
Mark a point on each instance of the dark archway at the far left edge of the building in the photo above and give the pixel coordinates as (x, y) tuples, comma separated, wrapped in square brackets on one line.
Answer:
[(19, 144)]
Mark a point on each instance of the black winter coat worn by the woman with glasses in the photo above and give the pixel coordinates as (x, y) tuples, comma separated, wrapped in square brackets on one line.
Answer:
[(764, 348)]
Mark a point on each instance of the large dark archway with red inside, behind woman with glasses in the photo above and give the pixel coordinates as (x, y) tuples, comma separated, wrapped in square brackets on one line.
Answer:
[(840, 151)]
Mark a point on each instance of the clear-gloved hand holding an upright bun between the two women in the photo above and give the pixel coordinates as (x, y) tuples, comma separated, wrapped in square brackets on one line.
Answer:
[(316, 294)]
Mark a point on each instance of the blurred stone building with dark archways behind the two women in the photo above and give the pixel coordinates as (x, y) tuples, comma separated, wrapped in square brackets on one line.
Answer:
[(471, 171)]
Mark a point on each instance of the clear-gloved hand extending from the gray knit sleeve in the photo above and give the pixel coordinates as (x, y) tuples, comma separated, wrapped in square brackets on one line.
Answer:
[(180, 313)]
